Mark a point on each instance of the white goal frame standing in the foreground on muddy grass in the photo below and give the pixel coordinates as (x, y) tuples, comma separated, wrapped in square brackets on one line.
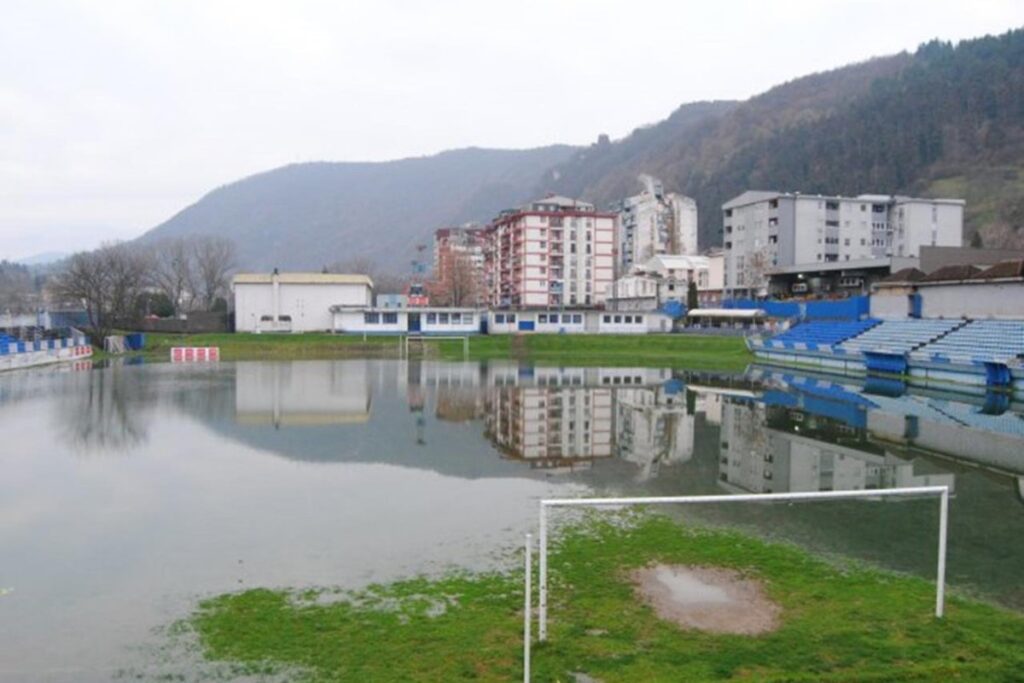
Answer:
[(942, 492)]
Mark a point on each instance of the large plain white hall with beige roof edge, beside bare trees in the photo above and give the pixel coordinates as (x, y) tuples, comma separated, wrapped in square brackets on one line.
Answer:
[(295, 302)]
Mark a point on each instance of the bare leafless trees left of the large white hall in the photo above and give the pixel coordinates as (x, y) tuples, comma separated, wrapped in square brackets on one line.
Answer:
[(118, 284)]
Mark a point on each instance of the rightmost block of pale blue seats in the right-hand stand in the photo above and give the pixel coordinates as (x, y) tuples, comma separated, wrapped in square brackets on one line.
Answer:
[(977, 341)]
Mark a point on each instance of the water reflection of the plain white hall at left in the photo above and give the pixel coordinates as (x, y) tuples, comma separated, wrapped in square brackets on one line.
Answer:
[(303, 393)]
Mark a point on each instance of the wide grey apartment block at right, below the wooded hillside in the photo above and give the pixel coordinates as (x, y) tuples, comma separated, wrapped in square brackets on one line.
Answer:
[(767, 233)]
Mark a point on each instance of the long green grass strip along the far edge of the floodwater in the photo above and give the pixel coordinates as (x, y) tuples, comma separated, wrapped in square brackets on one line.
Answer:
[(728, 354)]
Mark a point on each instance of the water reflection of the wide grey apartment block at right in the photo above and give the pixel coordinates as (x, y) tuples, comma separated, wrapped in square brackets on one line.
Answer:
[(770, 449)]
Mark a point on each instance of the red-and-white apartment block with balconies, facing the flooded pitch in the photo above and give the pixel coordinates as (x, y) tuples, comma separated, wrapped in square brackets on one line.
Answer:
[(552, 253)]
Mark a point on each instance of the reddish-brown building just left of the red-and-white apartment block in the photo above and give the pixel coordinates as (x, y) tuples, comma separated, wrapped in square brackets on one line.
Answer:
[(459, 266)]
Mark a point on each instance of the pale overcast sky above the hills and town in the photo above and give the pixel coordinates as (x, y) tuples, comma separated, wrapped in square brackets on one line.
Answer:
[(116, 115)]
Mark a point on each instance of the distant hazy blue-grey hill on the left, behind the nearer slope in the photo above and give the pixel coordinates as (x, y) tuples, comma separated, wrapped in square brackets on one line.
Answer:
[(310, 216)]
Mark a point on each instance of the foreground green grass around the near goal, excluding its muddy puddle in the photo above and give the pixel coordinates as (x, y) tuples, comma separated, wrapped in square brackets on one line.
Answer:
[(840, 623)]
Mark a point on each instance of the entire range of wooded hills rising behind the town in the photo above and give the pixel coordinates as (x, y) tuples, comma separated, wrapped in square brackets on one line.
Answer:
[(942, 121)]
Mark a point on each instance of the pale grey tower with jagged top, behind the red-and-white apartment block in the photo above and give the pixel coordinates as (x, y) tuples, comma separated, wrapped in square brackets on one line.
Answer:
[(654, 224)]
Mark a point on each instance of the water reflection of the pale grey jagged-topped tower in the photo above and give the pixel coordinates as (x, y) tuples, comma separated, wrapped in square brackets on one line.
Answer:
[(654, 426)]
